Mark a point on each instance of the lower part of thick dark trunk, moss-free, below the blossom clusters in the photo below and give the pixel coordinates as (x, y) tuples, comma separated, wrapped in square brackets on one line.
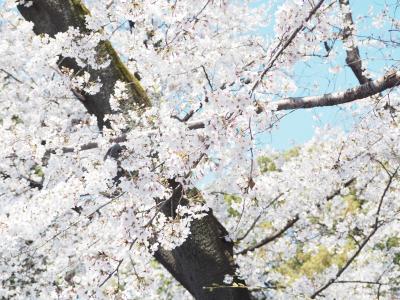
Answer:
[(204, 258)]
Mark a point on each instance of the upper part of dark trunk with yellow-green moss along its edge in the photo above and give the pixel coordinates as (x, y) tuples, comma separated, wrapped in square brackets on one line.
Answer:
[(53, 16)]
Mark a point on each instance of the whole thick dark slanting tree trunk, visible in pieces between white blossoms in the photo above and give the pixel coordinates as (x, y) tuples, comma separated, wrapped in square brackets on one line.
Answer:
[(205, 257)]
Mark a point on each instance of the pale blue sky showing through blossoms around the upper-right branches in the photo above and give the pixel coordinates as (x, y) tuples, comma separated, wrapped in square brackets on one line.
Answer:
[(299, 126)]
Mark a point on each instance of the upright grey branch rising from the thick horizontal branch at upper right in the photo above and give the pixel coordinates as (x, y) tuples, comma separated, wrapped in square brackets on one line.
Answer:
[(353, 58)]
